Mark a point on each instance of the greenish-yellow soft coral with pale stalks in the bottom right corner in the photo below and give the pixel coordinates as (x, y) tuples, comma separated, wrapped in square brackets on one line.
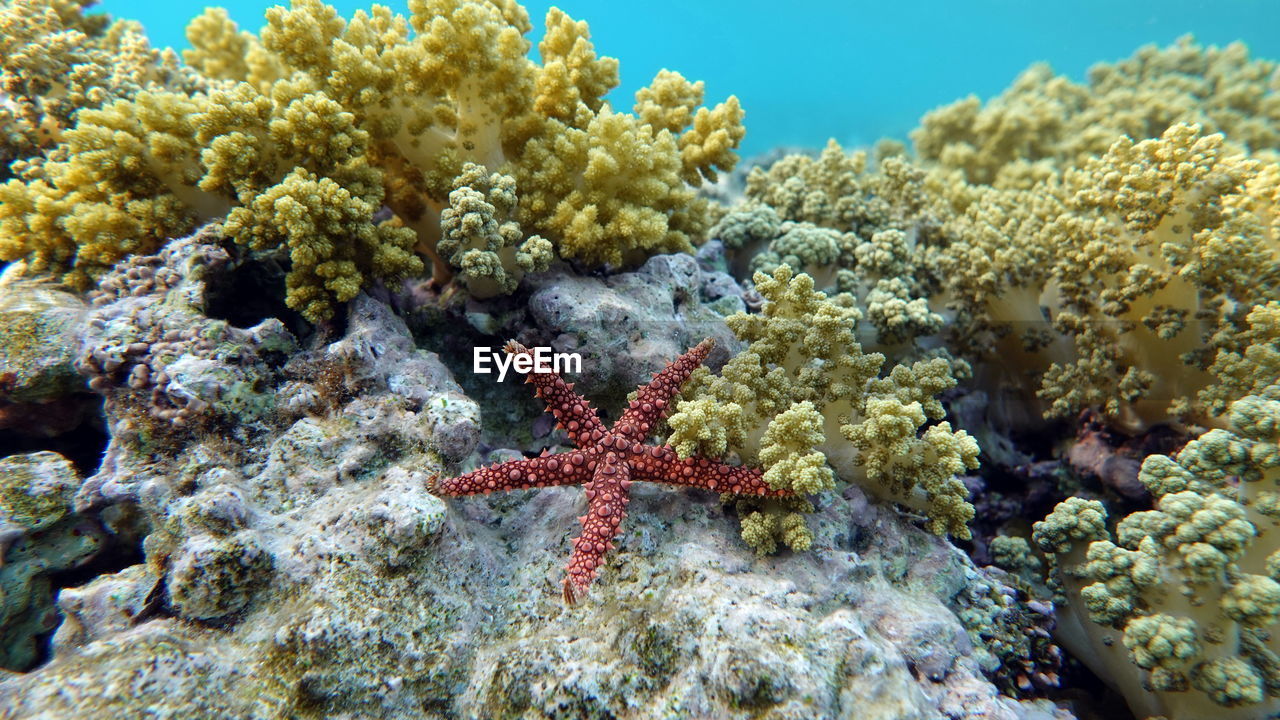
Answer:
[(1191, 591)]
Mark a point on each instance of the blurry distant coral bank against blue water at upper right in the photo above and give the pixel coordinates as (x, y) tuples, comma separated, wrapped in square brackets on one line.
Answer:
[(1048, 119)]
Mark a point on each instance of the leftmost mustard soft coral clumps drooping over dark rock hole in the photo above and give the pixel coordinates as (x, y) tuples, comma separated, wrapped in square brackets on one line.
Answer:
[(289, 171)]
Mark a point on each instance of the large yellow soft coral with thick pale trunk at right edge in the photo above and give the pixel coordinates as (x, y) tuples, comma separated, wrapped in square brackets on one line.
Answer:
[(1149, 267)]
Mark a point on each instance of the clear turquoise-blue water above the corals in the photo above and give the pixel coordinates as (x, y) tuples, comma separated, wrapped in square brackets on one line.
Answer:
[(807, 71)]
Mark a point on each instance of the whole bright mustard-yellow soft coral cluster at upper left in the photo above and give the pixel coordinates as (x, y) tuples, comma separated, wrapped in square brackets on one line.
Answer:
[(314, 127)]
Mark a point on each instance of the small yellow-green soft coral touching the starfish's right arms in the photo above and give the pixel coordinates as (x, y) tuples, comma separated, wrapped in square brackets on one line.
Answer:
[(804, 402)]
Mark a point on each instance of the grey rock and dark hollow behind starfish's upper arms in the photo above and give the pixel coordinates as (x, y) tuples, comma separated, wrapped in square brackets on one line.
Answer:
[(624, 326)]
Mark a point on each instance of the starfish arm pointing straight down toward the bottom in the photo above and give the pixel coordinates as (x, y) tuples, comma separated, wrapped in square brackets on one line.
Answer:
[(607, 500)]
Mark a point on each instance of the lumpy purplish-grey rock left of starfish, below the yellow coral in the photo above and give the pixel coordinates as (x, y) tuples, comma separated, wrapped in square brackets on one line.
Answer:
[(185, 390)]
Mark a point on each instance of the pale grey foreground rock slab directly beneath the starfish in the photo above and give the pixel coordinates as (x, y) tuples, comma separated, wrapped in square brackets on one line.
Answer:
[(386, 604)]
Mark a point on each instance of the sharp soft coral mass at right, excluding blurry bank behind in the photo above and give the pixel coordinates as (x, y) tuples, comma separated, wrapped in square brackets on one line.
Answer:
[(1114, 285)]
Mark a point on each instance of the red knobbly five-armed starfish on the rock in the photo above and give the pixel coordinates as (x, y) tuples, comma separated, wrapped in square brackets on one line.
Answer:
[(607, 462)]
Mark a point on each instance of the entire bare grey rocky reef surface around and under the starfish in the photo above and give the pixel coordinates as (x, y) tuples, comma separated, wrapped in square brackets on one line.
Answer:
[(291, 563)]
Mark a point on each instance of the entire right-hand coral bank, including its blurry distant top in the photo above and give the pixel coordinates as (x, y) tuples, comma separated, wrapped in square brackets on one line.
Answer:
[(1084, 247)]
